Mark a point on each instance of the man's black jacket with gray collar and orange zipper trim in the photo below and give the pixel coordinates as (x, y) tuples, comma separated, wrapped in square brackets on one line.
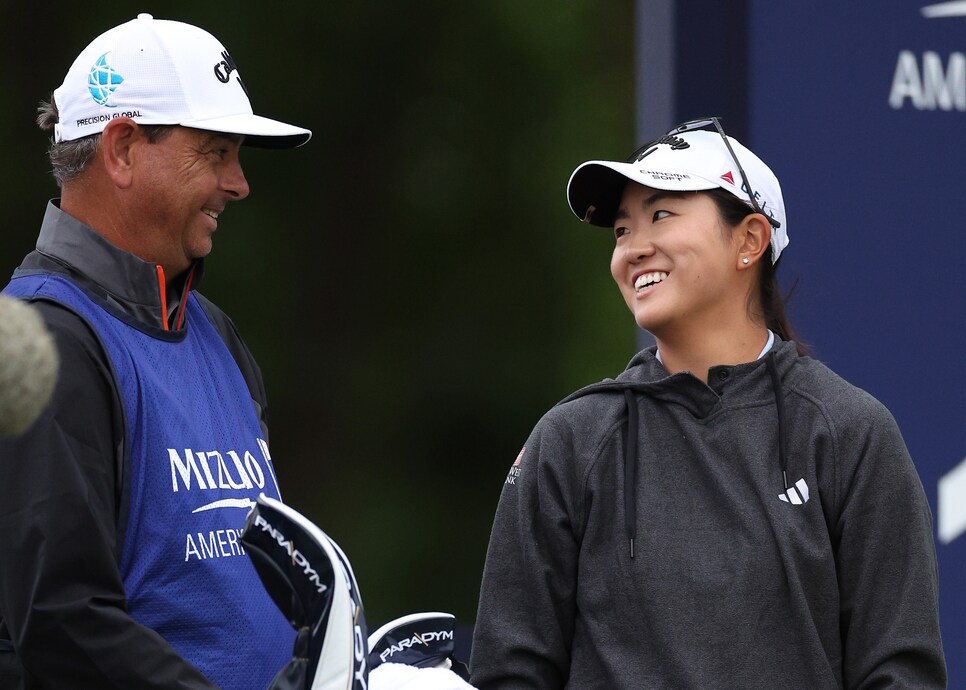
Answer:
[(63, 494)]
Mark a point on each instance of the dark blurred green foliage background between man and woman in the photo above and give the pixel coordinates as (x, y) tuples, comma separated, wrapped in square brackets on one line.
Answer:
[(411, 281)]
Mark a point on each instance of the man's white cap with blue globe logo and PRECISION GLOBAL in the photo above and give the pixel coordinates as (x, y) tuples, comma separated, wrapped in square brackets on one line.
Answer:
[(160, 72)]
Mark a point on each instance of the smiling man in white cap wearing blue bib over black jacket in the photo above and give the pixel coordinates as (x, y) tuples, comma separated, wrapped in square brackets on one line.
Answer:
[(120, 563)]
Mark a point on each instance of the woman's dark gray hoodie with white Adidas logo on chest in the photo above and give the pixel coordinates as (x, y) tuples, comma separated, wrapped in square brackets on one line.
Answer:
[(745, 573)]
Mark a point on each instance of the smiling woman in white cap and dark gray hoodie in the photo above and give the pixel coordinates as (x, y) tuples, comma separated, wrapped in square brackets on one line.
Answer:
[(712, 517)]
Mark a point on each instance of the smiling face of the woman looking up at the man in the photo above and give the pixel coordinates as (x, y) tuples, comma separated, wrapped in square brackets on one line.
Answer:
[(674, 261)]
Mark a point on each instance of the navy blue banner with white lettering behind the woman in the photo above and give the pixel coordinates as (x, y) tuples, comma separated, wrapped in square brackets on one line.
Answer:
[(860, 108)]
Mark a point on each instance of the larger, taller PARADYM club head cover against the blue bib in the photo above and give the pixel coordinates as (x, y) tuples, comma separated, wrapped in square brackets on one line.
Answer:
[(311, 581)]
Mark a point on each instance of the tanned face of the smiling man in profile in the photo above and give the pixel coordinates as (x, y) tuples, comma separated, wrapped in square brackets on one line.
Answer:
[(182, 184)]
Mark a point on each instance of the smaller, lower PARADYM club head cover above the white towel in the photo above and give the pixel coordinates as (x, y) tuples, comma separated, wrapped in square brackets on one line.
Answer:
[(424, 640)]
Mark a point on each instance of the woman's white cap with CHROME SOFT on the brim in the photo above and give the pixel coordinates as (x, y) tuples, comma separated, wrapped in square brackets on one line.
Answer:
[(689, 161)]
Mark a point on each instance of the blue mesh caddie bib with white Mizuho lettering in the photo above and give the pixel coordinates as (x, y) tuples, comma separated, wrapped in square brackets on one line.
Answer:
[(196, 461)]
